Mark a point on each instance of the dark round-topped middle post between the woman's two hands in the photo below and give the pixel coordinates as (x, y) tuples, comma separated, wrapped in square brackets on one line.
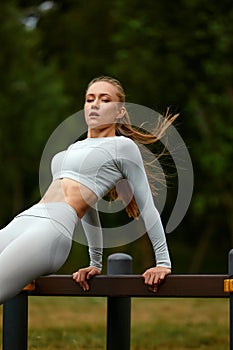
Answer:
[(119, 308)]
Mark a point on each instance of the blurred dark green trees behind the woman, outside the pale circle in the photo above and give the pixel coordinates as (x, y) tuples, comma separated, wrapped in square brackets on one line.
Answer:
[(176, 54)]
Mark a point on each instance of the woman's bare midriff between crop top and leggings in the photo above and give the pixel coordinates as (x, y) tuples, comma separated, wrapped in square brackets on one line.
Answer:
[(72, 192)]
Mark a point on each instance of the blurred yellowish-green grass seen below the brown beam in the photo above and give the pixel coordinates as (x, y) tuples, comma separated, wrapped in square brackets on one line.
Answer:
[(157, 324)]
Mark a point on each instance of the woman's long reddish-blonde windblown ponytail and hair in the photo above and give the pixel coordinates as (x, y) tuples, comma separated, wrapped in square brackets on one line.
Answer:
[(125, 128)]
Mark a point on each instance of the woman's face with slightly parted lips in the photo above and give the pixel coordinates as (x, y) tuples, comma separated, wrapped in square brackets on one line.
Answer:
[(102, 106)]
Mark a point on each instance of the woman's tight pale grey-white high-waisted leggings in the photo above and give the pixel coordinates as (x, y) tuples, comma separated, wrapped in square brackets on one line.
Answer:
[(36, 242)]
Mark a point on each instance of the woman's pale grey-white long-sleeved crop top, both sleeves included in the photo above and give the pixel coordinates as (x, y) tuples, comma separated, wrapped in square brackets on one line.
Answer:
[(99, 163)]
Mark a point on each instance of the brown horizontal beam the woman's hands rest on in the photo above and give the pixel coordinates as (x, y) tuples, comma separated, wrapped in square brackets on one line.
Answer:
[(133, 286)]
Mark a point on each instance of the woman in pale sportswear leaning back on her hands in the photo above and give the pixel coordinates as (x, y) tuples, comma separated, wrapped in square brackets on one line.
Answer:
[(38, 241)]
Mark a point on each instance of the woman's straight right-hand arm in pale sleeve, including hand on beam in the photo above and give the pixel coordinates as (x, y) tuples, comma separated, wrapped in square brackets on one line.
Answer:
[(133, 170)]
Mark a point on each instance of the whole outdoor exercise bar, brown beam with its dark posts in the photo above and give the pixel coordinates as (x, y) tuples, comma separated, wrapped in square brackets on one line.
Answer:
[(119, 286)]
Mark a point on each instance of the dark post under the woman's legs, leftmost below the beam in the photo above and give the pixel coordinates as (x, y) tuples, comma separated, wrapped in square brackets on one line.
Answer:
[(15, 323)]
